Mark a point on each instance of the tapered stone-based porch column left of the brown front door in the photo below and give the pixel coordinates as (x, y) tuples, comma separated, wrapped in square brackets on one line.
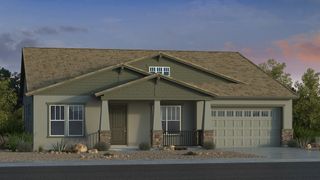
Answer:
[(104, 129)]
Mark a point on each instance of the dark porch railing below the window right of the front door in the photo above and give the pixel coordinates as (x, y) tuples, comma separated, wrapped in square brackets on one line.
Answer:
[(182, 138)]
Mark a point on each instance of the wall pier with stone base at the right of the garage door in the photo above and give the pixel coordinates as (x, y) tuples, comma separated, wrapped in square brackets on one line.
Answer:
[(287, 131)]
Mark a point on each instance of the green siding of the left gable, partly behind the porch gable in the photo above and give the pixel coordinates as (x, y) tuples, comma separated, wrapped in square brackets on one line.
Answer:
[(93, 83)]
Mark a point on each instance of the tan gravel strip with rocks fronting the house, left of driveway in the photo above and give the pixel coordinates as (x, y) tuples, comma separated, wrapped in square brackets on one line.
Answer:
[(6, 156)]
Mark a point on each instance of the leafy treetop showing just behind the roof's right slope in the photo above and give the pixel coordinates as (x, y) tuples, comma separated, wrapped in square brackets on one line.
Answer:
[(276, 70)]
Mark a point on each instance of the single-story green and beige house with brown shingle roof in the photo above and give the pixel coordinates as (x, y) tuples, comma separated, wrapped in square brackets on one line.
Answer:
[(161, 97)]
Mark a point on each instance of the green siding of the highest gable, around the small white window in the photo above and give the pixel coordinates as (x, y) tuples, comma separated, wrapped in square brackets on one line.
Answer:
[(178, 70)]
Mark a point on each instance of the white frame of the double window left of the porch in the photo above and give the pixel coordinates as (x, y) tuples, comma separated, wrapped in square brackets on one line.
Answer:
[(67, 120)]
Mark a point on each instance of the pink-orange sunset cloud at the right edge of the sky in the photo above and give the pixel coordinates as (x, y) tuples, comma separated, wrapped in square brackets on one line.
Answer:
[(305, 47)]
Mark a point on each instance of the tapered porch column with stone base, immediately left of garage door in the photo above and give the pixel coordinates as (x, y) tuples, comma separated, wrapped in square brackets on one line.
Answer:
[(208, 132)]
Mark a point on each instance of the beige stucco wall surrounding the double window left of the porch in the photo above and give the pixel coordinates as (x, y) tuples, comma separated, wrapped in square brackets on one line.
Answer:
[(41, 121)]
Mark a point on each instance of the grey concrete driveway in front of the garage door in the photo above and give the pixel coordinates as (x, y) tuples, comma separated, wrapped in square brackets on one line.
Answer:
[(281, 153)]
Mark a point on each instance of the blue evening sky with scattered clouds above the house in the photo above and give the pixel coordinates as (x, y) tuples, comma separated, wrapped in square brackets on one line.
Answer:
[(285, 30)]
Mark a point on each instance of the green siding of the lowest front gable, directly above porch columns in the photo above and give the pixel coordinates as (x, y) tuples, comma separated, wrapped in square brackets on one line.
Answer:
[(151, 89)]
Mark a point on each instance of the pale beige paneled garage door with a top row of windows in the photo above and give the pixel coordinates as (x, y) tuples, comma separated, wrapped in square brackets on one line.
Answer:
[(246, 127)]
